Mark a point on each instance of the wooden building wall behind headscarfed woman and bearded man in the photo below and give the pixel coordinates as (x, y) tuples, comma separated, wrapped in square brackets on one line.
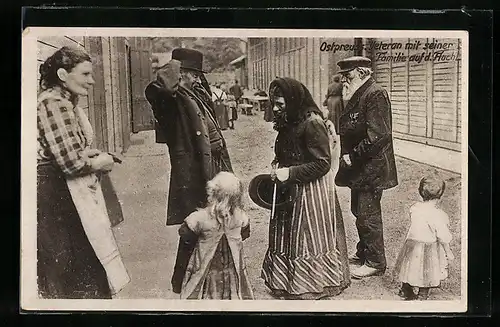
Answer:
[(425, 96)]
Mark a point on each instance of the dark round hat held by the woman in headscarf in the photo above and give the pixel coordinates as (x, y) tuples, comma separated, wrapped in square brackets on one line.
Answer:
[(261, 189)]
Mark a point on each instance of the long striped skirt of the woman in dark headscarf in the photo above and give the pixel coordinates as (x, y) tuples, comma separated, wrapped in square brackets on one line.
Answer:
[(307, 254)]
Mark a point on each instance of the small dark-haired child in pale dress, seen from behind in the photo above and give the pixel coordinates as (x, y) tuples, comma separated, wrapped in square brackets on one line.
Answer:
[(423, 260)]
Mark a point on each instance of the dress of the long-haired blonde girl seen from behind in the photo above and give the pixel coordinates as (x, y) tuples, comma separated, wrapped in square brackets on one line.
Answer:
[(216, 269)]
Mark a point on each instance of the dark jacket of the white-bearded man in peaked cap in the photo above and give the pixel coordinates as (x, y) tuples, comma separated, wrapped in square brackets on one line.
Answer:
[(365, 128)]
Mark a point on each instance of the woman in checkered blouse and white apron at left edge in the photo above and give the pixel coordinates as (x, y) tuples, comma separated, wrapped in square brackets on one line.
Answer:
[(77, 255)]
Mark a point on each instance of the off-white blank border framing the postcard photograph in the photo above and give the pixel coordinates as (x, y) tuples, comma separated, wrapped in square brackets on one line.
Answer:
[(29, 299)]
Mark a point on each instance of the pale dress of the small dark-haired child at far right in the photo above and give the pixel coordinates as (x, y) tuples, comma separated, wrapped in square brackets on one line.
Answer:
[(422, 261)]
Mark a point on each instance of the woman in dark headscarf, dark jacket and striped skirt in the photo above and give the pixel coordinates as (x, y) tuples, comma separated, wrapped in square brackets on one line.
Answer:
[(307, 256)]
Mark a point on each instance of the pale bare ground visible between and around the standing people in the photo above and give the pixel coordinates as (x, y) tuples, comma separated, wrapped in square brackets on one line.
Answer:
[(148, 246)]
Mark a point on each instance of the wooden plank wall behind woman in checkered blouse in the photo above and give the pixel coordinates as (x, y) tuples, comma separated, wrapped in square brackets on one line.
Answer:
[(116, 105)]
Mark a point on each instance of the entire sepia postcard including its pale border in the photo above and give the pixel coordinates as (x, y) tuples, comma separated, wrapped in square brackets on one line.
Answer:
[(173, 166)]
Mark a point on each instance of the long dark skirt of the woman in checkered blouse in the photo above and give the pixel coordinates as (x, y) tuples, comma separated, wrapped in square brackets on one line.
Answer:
[(67, 266)]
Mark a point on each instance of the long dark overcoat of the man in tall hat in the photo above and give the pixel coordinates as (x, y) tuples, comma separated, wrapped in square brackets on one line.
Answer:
[(182, 121)]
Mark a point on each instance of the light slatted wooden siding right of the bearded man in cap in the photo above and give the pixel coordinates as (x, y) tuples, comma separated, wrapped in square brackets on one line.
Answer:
[(425, 96)]
